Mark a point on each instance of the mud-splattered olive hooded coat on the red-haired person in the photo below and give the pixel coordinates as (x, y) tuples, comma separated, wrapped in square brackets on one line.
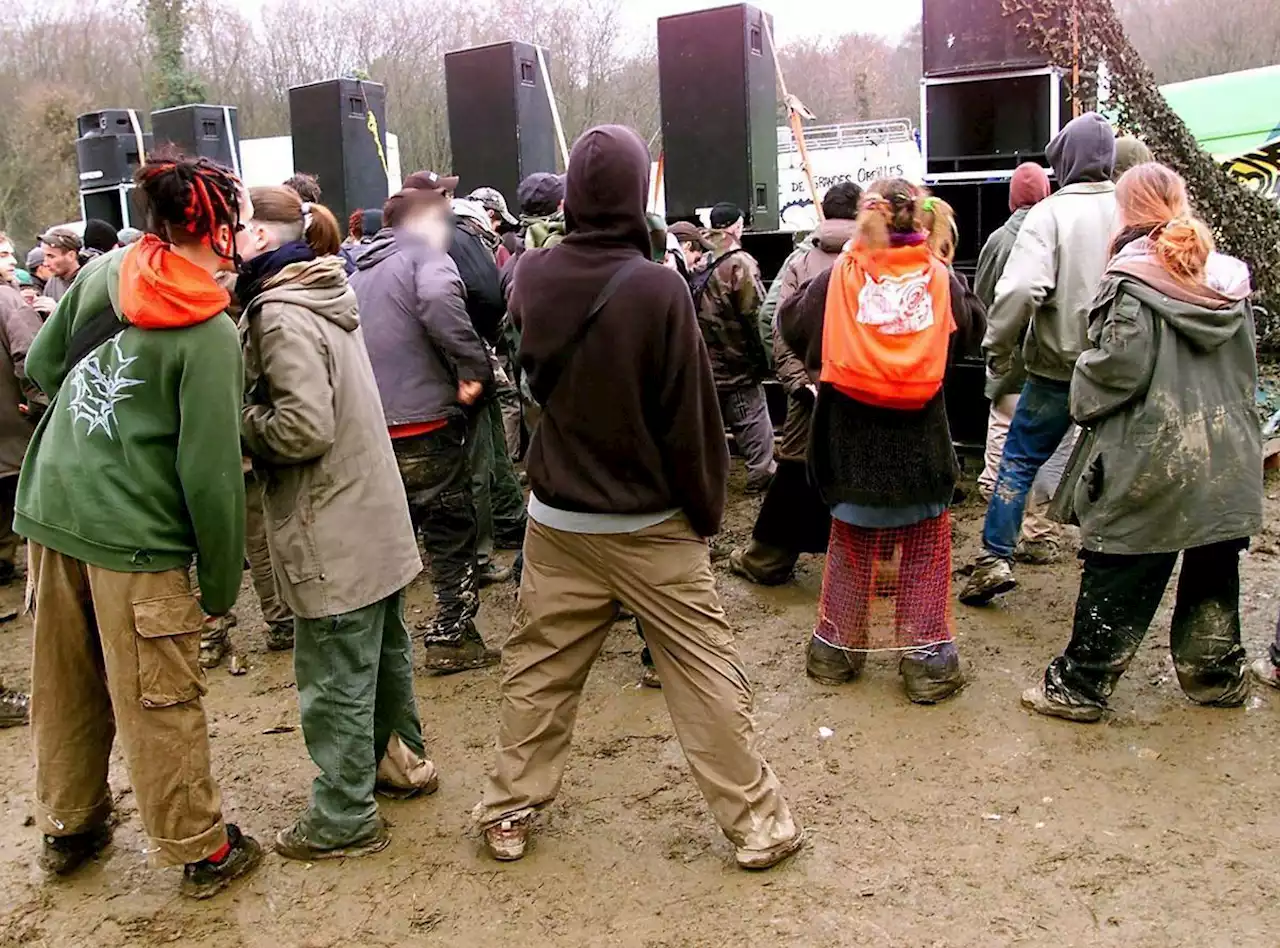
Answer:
[(1174, 452)]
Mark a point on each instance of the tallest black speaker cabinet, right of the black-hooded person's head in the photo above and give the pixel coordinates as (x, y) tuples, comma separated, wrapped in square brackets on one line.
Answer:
[(720, 113)]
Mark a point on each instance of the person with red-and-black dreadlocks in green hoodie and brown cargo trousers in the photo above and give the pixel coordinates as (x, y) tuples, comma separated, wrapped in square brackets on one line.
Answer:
[(134, 473)]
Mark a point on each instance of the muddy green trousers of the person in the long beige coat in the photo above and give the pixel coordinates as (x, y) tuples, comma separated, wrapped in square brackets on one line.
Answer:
[(355, 690)]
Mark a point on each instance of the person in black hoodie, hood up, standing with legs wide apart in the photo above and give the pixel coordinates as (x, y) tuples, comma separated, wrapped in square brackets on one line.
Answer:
[(625, 492)]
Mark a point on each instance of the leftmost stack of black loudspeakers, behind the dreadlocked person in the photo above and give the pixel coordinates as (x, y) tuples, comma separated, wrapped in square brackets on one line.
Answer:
[(109, 149)]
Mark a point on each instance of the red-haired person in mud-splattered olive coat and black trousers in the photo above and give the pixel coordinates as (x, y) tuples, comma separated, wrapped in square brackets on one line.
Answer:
[(1173, 460)]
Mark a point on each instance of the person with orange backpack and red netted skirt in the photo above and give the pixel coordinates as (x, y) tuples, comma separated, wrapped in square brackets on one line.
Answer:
[(877, 333)]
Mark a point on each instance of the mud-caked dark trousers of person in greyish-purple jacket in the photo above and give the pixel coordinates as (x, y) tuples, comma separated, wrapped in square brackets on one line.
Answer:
[(437, 477)]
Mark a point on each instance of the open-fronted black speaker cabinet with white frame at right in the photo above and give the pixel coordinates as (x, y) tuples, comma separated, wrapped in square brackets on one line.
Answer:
[(993, 123)]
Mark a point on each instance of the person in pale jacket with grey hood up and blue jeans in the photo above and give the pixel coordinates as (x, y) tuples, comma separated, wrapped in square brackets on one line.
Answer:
[(1041, 308)]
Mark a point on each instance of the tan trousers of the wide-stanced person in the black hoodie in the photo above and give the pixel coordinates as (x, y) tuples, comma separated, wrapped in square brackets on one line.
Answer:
[(568, 604)]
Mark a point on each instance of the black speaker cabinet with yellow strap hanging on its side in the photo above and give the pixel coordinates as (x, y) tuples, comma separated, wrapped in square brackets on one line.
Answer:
[(340, 136)]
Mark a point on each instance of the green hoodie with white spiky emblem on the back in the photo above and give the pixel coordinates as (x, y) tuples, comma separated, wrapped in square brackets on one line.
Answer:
[(136, 466)]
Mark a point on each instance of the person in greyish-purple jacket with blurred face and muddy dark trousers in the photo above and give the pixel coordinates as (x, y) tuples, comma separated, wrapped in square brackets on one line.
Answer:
[(431, 369)]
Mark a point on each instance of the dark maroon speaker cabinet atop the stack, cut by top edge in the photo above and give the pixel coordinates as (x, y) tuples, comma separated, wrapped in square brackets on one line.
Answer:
[(975, 36)]
